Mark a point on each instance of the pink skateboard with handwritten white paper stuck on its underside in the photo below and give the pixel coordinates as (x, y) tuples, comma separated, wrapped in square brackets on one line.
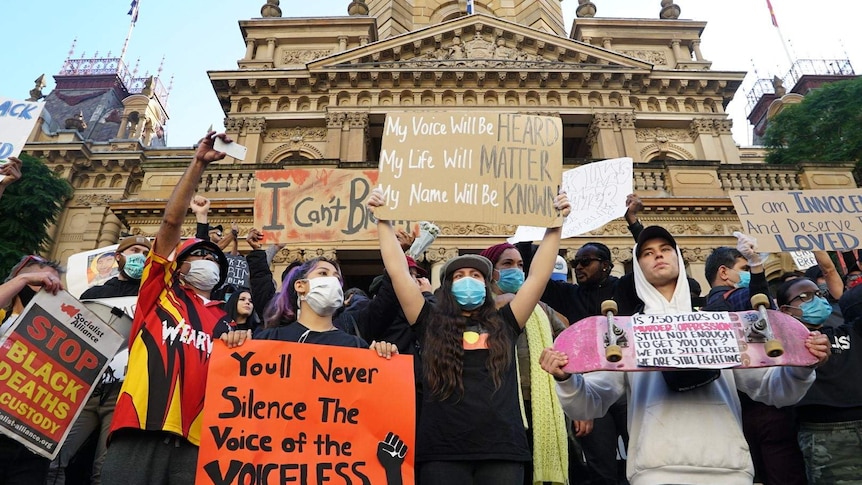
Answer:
[(700, 340)]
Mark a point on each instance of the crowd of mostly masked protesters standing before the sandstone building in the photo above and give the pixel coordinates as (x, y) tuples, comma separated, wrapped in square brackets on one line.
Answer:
[(493, 403)]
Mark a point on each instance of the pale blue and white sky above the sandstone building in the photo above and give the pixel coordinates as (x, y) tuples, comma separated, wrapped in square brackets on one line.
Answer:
[(191, 37)]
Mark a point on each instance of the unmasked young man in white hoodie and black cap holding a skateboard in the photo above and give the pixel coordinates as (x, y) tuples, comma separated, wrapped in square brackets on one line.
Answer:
[(683, 429)]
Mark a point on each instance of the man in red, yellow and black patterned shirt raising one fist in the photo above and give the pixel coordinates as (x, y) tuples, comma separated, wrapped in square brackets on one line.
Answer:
[(157, 419)]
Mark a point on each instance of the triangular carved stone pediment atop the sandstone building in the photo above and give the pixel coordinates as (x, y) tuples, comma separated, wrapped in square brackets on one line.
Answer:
[(477, 41)]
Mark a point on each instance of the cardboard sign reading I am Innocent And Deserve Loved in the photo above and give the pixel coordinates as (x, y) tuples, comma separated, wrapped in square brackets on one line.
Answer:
[(801, 220)]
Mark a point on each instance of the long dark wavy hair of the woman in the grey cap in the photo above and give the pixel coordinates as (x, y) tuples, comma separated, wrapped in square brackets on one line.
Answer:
[(443, 351)]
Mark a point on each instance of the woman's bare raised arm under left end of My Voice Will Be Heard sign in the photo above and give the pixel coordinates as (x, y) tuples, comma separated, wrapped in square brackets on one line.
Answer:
[(409, 294)]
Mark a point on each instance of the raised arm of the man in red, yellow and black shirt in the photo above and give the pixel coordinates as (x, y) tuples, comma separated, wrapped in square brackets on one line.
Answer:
[(171, 228)]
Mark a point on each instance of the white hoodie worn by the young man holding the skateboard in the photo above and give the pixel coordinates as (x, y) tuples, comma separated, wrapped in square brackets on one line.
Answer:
[(691, 437)]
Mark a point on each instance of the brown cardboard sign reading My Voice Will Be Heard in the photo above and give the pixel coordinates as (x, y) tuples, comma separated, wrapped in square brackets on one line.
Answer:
[(469, 167)]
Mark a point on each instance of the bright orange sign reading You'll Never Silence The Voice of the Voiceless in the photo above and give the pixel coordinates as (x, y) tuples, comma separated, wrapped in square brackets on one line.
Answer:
[(281, 412)]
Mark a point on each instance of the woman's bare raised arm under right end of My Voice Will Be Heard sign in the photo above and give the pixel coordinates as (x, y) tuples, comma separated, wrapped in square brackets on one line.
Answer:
[(541, 268)]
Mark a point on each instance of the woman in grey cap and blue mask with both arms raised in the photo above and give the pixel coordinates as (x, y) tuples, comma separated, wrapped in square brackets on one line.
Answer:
[(470, 430)]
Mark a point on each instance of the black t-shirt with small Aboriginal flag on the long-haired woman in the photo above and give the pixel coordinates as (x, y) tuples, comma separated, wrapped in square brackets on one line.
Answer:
[(483, 424)]
